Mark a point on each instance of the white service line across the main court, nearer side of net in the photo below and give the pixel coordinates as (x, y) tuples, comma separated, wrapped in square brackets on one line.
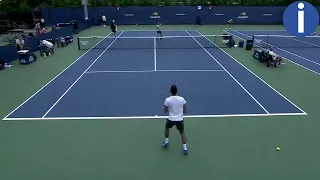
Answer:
[(151, 71)]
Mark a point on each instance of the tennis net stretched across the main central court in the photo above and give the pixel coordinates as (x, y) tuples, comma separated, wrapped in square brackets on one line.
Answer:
[(166, 42)]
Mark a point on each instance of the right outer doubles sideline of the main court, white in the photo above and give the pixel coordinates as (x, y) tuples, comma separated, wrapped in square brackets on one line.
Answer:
[(258, 76)]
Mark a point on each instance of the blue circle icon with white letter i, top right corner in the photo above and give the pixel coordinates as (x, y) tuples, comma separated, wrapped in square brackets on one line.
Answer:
[(301, 18)]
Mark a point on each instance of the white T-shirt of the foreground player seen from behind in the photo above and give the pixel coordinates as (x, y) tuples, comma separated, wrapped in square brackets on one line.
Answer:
[(175, 107)]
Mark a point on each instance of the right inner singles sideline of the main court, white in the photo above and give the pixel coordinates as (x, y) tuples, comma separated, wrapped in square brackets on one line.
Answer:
[(229, 73)]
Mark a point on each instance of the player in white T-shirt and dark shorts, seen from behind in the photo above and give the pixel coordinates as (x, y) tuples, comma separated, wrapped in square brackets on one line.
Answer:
[(175, 105)]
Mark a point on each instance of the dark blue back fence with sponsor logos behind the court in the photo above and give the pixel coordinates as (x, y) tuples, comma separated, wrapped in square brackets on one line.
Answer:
[(171, 14)]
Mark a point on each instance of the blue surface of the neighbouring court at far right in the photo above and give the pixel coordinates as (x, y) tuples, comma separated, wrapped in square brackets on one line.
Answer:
[(300, 51)]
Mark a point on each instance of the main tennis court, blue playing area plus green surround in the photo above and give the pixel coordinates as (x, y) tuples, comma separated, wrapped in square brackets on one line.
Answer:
[(229, 143)]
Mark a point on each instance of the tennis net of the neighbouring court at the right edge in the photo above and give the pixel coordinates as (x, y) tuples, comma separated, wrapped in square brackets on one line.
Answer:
[(268, 41)]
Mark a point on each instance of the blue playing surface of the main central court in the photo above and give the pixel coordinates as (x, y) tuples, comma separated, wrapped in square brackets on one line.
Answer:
[(124, 81)]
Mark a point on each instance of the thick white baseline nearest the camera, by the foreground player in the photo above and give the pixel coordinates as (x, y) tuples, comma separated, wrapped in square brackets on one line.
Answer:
[(153, 117)]
